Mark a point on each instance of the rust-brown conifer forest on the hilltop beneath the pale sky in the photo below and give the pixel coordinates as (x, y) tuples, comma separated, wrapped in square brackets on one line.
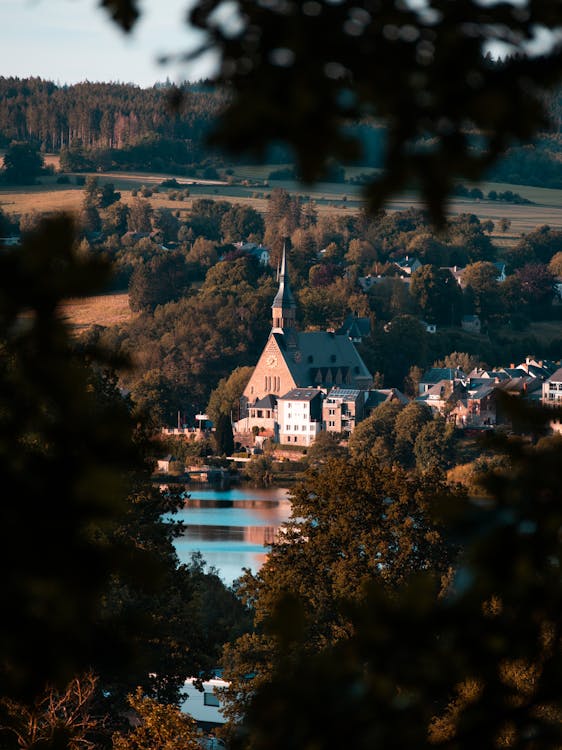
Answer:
[(102, 115)]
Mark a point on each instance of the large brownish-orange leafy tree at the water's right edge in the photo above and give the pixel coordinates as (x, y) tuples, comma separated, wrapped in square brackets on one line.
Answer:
[(342, 536)]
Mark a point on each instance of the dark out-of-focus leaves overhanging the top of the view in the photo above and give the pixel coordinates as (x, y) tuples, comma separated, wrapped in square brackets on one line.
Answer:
[(300, 72)]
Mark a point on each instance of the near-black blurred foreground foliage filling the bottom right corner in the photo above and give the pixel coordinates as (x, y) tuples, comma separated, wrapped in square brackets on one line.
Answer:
[(477, 663)]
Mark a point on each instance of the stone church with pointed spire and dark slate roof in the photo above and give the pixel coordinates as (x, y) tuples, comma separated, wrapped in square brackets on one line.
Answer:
[(294, 359)]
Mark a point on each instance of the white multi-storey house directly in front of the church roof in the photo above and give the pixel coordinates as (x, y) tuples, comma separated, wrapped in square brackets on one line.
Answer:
[(300, 416)]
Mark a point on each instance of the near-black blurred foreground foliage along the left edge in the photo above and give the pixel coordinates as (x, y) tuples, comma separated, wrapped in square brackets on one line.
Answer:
[(49, 394)]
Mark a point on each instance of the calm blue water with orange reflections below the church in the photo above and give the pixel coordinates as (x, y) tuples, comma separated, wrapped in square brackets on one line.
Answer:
[(231, 527)]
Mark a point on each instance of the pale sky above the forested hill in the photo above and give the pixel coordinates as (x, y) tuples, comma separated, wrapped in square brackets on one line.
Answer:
[(67, 41)]
